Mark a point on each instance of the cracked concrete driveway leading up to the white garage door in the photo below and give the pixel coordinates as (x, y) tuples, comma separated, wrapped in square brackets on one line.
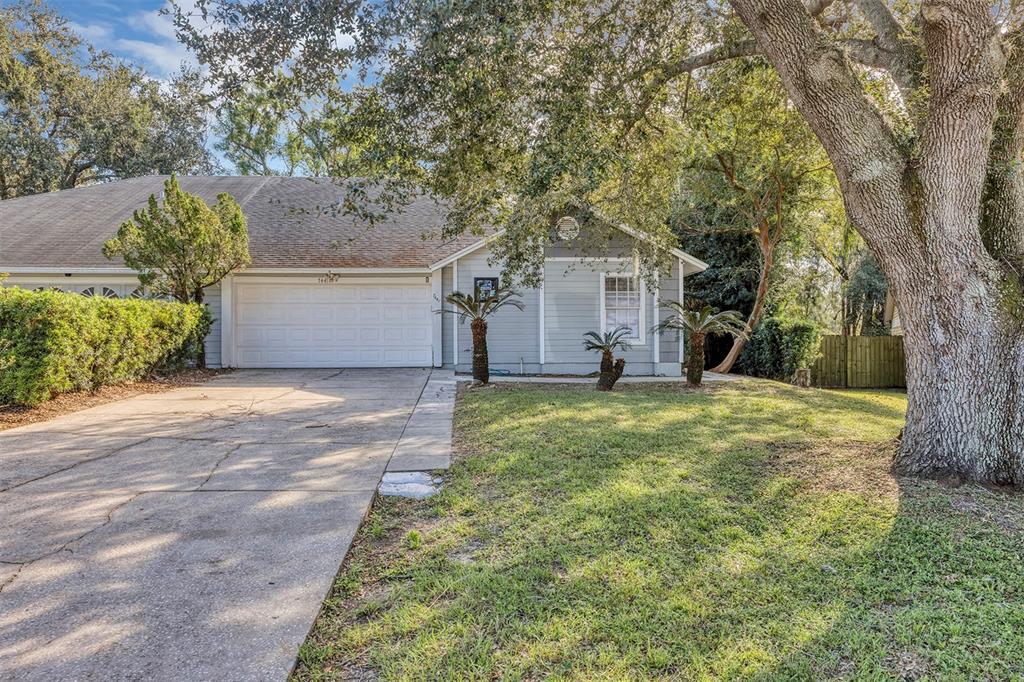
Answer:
[(192, 535)]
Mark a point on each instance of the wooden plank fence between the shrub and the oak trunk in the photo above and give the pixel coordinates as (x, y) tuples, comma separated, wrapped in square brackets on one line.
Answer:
[(861, 362)]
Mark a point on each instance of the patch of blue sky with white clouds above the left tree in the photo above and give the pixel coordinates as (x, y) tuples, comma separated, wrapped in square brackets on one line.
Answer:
[(131, 29)]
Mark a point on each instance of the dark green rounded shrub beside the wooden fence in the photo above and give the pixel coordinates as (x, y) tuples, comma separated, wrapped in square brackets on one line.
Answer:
[(780, 347)]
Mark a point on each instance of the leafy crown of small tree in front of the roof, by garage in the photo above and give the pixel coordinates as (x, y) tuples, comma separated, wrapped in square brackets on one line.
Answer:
[(182, 246)]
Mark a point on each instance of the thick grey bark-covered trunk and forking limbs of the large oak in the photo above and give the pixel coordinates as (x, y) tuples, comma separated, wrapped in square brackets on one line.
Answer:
[(921, 212)]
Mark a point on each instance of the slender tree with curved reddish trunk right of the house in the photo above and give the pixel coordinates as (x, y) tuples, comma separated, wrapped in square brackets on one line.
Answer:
[(752, 154)]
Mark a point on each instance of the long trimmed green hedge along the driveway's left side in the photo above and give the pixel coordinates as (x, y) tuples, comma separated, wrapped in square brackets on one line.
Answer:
[(53, 343)]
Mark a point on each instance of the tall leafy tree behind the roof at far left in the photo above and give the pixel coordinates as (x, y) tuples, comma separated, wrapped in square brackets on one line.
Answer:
[(71, 115)]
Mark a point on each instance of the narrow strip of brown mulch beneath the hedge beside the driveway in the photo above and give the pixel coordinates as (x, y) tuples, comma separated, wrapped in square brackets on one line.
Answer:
[(14, 416)]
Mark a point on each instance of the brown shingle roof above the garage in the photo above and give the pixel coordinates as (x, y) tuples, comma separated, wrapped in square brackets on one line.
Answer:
[(68, 229)]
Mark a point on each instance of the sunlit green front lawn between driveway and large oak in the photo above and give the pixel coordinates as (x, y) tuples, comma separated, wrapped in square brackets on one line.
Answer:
[(748, 532)]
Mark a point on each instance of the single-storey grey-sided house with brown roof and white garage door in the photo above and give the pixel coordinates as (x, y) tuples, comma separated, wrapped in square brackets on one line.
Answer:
[(325, 290)]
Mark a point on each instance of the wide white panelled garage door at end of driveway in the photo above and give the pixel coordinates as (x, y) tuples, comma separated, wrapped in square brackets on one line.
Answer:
[(333, 325)]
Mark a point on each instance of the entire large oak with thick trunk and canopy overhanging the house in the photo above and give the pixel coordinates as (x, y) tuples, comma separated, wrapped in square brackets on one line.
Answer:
[(517, 109)]
